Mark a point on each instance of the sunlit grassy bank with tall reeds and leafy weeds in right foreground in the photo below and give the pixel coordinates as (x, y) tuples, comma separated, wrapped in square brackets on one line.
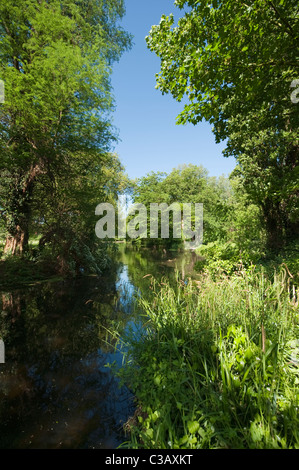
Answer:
[(216, 364)]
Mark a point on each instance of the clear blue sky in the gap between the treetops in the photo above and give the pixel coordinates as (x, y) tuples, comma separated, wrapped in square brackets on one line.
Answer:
[(150, 138)]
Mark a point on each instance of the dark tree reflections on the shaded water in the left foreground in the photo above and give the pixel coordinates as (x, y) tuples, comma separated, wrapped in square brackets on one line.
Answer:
[(54, 383)]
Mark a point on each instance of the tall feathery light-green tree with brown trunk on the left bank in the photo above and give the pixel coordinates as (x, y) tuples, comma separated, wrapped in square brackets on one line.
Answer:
[(55, 61)]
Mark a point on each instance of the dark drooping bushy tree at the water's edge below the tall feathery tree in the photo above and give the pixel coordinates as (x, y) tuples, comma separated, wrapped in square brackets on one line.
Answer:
[(63, 213)]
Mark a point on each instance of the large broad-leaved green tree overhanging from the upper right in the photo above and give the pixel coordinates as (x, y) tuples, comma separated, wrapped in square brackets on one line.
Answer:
[(235, 63)]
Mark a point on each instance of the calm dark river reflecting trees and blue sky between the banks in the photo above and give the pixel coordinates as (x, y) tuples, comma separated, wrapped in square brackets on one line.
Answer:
[(56, 390)]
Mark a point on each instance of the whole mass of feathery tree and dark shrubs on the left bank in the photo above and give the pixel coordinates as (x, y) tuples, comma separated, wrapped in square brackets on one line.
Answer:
[(55, 127)]
